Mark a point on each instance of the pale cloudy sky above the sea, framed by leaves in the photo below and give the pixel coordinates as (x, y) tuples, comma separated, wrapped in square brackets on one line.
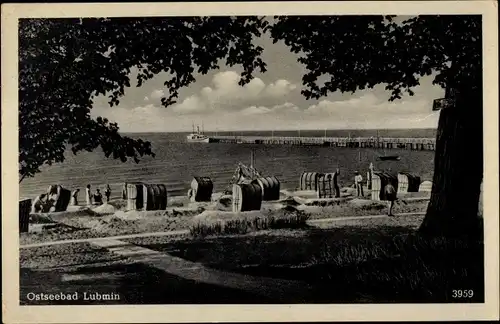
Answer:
[(271, 101)]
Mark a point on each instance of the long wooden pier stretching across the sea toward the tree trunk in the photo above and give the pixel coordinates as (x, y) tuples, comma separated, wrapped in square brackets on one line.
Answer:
[(420, 144)]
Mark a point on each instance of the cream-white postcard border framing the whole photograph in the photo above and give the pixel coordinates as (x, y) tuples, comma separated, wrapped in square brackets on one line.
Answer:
[(13, 313)]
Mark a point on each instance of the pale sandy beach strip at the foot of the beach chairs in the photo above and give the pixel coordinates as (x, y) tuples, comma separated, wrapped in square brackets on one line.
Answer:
[(113, 219)]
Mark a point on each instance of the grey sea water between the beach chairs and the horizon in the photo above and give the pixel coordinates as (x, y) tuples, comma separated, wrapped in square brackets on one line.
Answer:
[(177, 162)]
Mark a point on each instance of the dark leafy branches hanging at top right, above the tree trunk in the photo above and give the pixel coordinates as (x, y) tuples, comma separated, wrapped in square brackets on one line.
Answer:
[(358, 52)]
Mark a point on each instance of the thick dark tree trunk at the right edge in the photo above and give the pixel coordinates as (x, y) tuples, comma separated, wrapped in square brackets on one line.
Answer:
[(458, 170)]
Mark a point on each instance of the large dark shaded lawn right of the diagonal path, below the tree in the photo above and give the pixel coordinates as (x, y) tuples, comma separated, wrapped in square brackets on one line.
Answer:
[(360, 263)]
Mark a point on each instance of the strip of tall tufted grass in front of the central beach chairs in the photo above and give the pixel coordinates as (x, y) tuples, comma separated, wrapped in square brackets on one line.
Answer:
[(244, 223)]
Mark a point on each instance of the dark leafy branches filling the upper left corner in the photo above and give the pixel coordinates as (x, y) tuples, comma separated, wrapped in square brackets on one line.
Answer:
[(65, 63)]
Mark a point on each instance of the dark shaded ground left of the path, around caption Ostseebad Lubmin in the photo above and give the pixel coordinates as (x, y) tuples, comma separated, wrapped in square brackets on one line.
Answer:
[(134, 283)]
